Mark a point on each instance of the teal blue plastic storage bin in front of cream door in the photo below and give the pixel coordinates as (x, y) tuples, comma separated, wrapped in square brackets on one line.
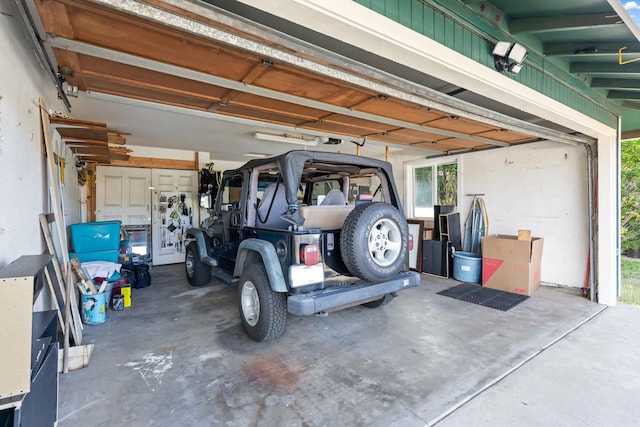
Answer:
[(96, 236)]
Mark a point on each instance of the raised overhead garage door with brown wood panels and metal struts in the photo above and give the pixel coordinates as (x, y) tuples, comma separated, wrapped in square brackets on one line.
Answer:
[(112, 50)]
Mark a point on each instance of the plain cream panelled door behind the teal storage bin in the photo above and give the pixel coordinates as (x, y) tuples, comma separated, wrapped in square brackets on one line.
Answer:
[(123, 194)]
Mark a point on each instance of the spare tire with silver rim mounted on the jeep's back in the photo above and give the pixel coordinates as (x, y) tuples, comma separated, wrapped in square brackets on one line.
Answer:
[(374, 242)]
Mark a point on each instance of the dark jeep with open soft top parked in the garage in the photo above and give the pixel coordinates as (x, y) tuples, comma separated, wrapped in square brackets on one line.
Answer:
[(306, 232)]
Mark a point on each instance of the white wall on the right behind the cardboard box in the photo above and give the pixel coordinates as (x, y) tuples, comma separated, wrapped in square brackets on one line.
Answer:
[(541, 187)]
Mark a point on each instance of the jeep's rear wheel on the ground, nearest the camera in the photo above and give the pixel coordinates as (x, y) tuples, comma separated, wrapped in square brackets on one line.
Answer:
[(262, 310)]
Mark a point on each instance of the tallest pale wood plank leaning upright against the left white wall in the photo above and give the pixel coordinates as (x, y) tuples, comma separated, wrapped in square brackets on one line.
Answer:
[(54, 183)]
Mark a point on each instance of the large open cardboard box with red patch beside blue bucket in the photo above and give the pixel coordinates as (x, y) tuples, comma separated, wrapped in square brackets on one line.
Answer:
[(510, 264)]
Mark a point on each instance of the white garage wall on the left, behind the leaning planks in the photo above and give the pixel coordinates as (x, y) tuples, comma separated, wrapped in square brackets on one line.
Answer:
[(22, 167)]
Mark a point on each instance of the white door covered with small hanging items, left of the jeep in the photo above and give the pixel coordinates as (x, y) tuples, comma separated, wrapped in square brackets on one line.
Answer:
[(175, 209)]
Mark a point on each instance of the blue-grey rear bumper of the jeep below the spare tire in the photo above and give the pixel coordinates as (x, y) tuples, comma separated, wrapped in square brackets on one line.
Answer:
[(332, 298)]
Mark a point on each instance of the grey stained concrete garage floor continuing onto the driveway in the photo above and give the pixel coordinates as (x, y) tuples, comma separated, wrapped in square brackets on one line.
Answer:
[(179, 357)]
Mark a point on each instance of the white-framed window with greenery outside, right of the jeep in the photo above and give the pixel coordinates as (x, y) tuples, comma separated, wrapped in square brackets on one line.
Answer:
[(432, 184)]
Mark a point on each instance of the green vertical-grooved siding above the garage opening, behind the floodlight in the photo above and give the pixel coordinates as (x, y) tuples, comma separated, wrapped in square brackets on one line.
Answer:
[(470, 37)]
